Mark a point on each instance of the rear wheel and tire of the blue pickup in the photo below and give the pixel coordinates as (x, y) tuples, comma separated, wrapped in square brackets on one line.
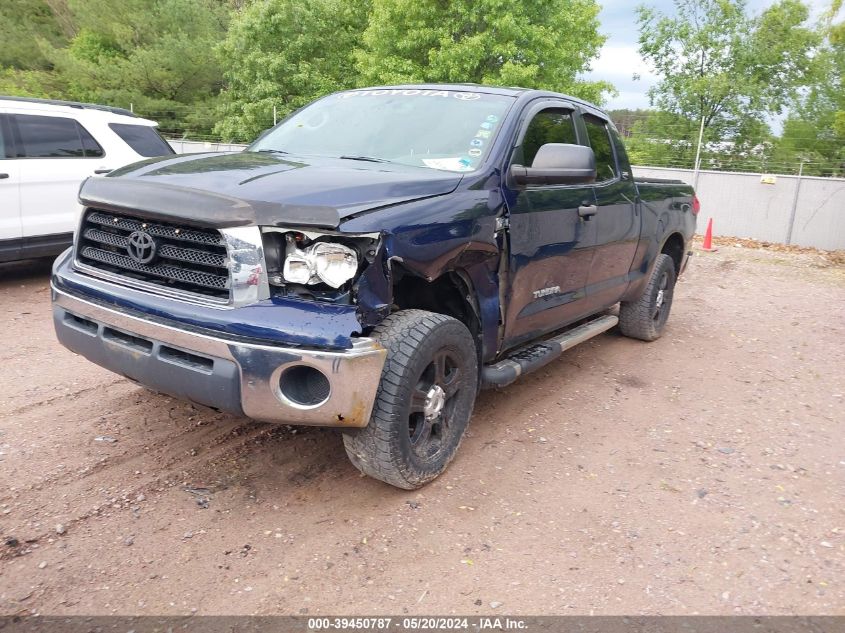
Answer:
[(646, 317)]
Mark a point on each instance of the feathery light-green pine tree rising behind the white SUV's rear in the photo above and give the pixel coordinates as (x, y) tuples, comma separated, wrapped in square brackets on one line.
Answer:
[(155, 54)]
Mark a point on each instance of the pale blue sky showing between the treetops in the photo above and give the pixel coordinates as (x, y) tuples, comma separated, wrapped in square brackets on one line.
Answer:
[(619, 59)]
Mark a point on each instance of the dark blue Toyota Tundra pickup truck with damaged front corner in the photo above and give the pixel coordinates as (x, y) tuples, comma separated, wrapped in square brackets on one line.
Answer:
[(373, 261)]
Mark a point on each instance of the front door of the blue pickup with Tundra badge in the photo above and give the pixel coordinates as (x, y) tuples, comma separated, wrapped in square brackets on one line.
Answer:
[(550, 245)]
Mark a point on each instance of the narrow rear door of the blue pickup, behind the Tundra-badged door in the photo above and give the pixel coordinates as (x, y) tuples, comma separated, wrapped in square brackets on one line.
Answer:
[(617, 222)]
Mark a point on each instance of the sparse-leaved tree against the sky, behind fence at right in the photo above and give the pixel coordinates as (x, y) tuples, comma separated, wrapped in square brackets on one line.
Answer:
[(719, 64)]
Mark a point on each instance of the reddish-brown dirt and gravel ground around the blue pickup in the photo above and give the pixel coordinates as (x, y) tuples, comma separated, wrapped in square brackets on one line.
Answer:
[(703, 473)]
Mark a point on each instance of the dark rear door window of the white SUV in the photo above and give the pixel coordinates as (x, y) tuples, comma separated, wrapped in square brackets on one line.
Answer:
[(54, 137)]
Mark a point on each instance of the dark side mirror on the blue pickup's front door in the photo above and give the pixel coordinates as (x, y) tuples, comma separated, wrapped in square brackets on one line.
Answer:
[(558, 164)]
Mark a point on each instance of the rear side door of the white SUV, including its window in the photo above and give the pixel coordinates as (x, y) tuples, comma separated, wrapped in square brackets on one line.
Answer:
[(56, 154)]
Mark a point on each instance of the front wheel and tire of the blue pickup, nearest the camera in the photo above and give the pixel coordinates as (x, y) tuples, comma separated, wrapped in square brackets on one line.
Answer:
[(424, 401)]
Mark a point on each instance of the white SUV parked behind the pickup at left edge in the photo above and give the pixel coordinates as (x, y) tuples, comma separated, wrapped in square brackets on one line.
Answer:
[(47, 148)]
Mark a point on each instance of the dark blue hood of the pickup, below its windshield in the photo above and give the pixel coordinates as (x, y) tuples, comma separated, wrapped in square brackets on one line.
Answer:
[(252, 188)]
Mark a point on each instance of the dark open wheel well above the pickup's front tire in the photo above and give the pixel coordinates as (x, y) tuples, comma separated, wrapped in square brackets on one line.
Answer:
[(449, 294)]
